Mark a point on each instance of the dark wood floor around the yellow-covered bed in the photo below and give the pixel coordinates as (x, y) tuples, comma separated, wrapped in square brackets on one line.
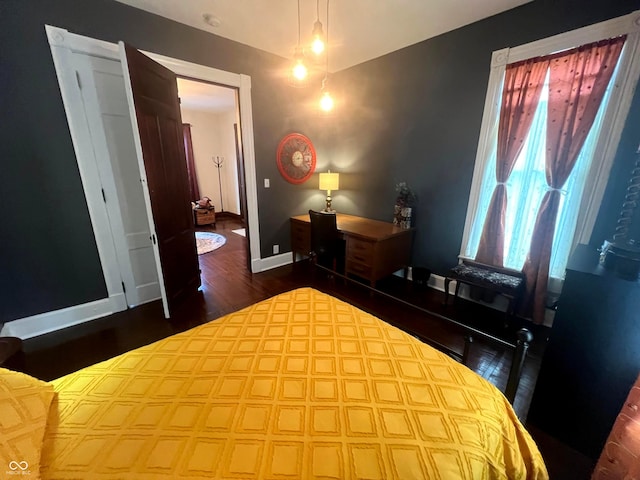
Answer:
[(227, 285)]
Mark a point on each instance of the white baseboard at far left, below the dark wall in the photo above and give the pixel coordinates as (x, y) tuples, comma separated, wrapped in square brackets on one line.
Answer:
[(48, 322)]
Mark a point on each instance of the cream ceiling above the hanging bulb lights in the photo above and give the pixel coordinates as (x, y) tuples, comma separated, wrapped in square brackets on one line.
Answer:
[(359, 30)]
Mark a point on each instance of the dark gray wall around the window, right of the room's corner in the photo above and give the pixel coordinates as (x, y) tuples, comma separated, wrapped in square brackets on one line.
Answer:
[(414, 115)]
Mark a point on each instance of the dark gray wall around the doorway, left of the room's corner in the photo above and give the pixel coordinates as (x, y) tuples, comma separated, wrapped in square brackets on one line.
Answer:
[(48, 256)]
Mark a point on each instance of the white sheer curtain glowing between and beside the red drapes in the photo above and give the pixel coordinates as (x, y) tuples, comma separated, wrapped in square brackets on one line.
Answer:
[(526, 187)]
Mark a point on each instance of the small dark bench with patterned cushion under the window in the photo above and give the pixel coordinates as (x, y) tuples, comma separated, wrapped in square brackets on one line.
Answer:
[(503, 281)]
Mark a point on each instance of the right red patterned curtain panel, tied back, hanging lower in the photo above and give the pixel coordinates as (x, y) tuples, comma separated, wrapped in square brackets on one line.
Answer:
[(577, 83)]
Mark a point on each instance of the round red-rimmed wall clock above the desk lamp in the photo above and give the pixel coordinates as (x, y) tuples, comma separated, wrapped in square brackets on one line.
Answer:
[(296, 158)]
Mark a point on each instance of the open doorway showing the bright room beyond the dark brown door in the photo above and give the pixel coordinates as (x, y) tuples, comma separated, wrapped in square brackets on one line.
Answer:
[(211, 117)]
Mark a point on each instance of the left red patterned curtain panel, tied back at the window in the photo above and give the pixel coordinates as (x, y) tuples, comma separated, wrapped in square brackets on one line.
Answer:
[(520, 96)]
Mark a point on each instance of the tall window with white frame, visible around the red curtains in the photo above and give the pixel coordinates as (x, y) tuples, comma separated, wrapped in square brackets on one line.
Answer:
[(527, 183)]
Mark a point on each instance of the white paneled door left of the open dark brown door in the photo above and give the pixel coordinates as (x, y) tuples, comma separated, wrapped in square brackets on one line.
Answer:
[(106, 110)]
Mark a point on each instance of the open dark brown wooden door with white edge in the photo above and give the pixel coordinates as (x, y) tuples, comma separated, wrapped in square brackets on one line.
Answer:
[(153, 96)]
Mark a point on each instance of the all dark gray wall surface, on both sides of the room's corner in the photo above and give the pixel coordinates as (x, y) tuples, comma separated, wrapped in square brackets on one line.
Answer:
[(412, 115)]
